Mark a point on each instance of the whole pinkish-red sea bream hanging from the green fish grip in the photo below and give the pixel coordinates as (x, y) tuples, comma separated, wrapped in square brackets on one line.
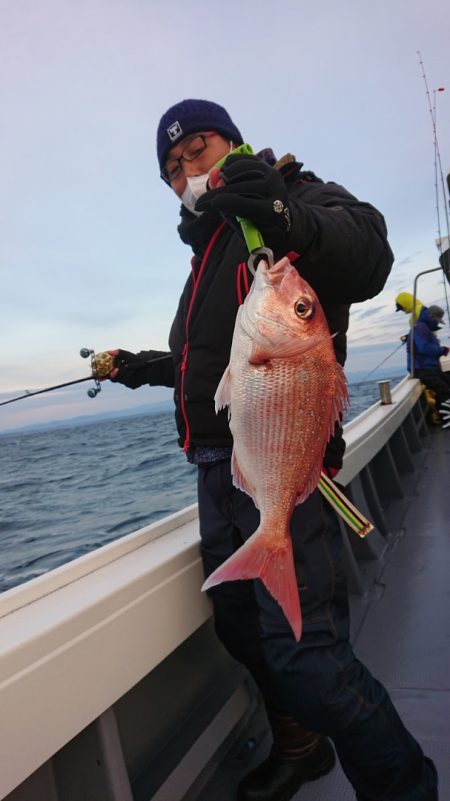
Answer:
[(285, 391)]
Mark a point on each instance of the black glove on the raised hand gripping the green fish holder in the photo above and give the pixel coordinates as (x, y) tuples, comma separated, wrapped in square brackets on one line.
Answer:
[(256, 191)]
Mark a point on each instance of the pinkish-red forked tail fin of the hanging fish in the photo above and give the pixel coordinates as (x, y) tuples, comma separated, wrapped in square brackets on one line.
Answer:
[(275, 568)]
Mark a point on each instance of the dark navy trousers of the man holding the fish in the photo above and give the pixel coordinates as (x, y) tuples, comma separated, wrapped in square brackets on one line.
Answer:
[(318, 681)]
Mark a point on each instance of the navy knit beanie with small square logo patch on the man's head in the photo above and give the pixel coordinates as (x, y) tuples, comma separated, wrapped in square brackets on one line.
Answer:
[(193, 116)]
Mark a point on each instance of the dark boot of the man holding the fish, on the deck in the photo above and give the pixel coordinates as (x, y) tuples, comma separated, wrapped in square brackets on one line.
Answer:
[(296, 756)]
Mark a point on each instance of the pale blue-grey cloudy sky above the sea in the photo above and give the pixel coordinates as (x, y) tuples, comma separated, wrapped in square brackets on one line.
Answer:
[(89, 253)]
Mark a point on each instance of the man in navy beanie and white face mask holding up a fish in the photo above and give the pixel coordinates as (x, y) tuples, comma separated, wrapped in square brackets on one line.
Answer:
[(314, 689)]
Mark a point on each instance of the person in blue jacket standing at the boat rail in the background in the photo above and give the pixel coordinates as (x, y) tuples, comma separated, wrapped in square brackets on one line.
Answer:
[(427, 351)]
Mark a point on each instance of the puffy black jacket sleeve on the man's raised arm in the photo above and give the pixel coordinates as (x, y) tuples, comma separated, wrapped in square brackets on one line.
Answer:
[(341, 240)]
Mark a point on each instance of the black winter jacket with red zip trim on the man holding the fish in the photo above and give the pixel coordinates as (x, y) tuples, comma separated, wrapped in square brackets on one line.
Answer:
[(341, 250)]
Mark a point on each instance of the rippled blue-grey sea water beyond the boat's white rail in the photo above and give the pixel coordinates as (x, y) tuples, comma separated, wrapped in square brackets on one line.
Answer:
[(66, 491)]
